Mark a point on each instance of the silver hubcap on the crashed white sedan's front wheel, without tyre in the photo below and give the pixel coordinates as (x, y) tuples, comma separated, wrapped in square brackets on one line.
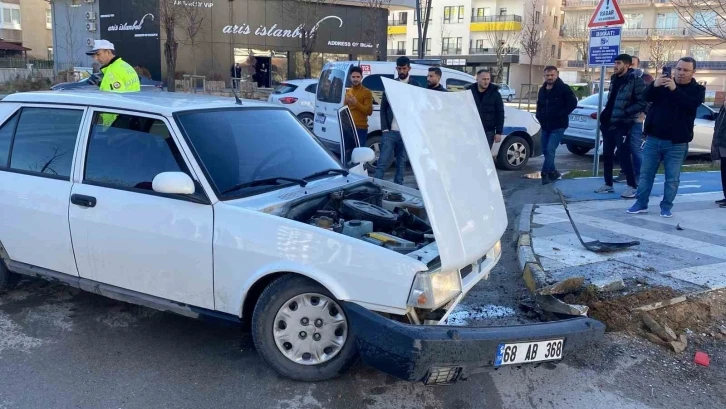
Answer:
[(310, 329)]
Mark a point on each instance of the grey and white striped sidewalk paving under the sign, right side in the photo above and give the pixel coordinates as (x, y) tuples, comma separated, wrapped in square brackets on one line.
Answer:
[(688, 260)]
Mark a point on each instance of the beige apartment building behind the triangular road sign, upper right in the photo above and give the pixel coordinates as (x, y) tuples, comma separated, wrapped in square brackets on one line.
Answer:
[(653, 31)]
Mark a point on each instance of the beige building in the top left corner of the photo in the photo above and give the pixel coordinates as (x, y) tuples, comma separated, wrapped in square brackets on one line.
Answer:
[(26, 28)]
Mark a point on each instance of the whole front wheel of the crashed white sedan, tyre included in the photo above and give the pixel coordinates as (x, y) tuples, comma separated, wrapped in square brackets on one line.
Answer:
[(302, 331)]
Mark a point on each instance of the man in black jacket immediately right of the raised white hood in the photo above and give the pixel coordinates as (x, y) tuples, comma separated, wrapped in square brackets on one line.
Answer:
[(490, 106)]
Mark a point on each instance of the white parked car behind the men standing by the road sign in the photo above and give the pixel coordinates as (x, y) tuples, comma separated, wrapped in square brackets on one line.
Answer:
[(580, 135)]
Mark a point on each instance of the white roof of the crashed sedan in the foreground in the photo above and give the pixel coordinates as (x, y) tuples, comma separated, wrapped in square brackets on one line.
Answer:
[(163, 103)]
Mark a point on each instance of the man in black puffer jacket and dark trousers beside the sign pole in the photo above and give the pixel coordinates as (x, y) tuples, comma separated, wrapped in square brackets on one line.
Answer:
[(626, 100)]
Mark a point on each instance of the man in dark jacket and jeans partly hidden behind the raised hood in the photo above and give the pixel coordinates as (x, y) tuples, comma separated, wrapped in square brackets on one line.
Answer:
[(391, 142)]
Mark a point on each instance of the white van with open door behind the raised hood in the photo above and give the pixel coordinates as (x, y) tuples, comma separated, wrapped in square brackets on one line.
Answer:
[(521, 136)]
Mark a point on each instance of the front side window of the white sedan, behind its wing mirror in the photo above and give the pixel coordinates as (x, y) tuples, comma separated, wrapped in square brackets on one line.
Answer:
[(130, 152)]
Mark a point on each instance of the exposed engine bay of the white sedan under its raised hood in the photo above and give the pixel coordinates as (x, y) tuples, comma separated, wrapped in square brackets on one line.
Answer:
[(393, 220)]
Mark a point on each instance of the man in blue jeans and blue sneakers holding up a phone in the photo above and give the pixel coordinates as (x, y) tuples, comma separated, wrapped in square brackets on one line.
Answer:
[(668, 131)]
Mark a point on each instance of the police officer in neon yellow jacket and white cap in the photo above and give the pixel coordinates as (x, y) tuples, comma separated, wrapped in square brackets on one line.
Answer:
[(118, 75)]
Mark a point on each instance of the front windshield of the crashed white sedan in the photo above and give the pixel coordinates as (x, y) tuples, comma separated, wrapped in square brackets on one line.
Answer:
[(241, 146)]
